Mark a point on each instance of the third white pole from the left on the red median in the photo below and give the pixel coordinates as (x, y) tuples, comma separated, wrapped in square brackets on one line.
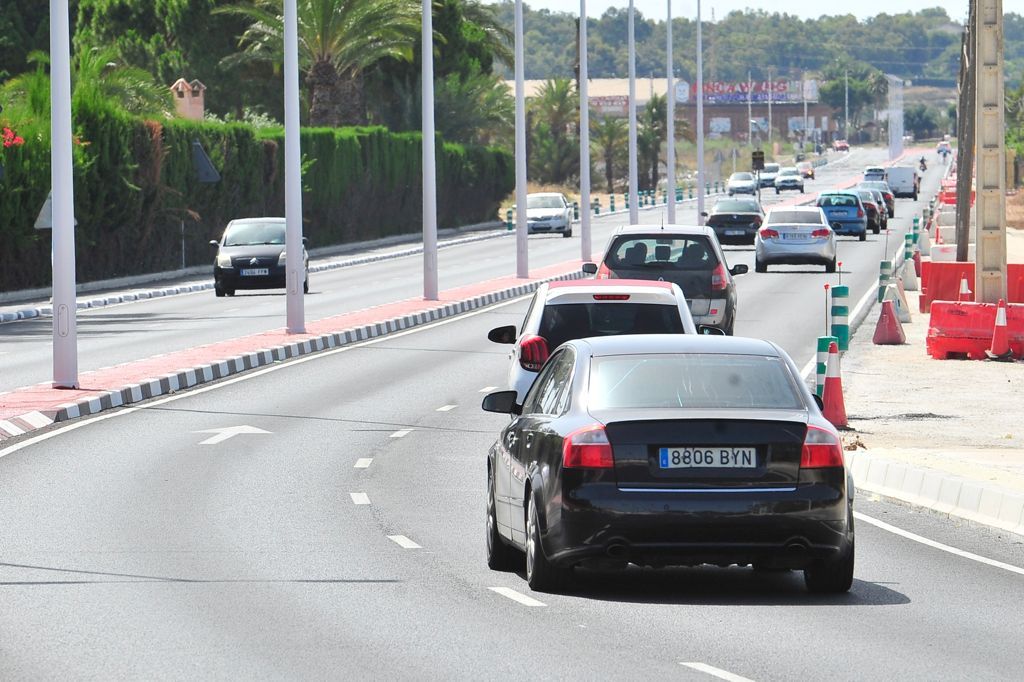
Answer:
[(430, 158)]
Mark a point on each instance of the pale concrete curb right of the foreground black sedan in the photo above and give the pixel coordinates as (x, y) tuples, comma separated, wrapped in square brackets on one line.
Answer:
[(943, 493)]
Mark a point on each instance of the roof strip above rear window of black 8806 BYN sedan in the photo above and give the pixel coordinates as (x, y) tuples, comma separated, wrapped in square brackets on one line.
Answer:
[(678, 344)]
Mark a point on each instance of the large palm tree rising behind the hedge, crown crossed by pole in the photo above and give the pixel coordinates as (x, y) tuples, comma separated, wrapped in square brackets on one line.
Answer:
[(338, 40)]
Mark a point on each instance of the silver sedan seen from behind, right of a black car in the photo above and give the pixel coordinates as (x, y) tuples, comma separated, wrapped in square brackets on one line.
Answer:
[(795, 236)]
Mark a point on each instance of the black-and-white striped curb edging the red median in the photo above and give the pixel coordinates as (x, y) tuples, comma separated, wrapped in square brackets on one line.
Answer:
[(194, 376)]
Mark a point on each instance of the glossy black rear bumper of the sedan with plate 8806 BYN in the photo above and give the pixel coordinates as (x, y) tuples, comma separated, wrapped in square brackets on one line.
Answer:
[(786, 528)]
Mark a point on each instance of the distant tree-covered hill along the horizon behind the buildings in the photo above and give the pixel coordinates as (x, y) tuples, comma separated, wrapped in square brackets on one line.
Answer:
[(922, 47)]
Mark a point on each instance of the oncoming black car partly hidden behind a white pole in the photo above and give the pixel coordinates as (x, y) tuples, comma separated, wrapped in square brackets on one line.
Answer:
[(251, 255)]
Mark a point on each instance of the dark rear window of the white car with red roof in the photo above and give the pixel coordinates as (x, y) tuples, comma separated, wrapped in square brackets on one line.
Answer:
[(564, 322)]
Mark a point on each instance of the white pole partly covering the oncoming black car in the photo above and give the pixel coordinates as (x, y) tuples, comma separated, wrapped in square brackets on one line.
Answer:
[(295, 273)]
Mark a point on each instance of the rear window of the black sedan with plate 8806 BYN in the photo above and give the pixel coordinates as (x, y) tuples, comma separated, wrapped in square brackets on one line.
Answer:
[(694, 380)]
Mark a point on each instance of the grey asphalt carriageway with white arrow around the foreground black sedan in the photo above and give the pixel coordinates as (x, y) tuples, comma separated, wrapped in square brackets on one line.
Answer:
[(348, 542)]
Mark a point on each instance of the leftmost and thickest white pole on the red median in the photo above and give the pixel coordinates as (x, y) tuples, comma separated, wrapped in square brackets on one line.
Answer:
[(62, 179)]
